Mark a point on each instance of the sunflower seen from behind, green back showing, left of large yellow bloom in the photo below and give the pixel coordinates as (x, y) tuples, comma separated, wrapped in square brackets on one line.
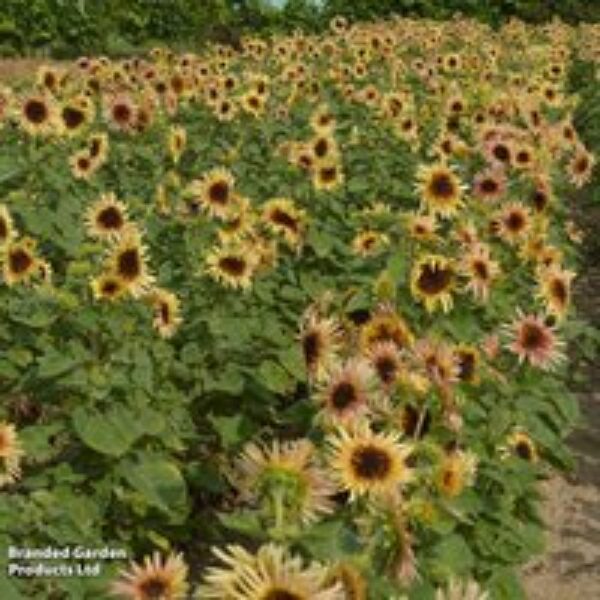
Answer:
[(289, 471)]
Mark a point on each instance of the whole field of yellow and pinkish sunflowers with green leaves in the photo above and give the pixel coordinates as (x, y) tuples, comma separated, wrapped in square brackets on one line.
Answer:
[(290, 322)]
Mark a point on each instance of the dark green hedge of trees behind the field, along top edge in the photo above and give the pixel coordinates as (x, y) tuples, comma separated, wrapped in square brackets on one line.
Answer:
[(65, 28)]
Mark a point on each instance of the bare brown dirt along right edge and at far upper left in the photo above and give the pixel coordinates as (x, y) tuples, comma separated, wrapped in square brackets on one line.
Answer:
[(570, 568)]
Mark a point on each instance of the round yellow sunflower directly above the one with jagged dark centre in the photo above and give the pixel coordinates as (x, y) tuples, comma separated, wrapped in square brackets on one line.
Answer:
[(440, 189)]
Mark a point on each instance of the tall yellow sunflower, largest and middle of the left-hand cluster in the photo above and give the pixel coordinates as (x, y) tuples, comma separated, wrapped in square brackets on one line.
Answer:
[(127, 261)]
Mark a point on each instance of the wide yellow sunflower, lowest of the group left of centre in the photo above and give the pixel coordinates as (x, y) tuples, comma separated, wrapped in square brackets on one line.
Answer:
[(232, 265)]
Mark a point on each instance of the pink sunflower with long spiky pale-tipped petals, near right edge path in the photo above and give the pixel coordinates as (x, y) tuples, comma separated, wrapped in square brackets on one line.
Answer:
[(535, 342)]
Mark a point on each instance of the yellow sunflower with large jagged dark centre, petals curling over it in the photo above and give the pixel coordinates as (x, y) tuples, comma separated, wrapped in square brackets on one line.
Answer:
[(433, 278)]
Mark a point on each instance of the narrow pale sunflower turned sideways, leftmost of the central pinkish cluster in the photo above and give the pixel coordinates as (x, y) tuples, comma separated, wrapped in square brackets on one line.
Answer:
[(321, 341)]
